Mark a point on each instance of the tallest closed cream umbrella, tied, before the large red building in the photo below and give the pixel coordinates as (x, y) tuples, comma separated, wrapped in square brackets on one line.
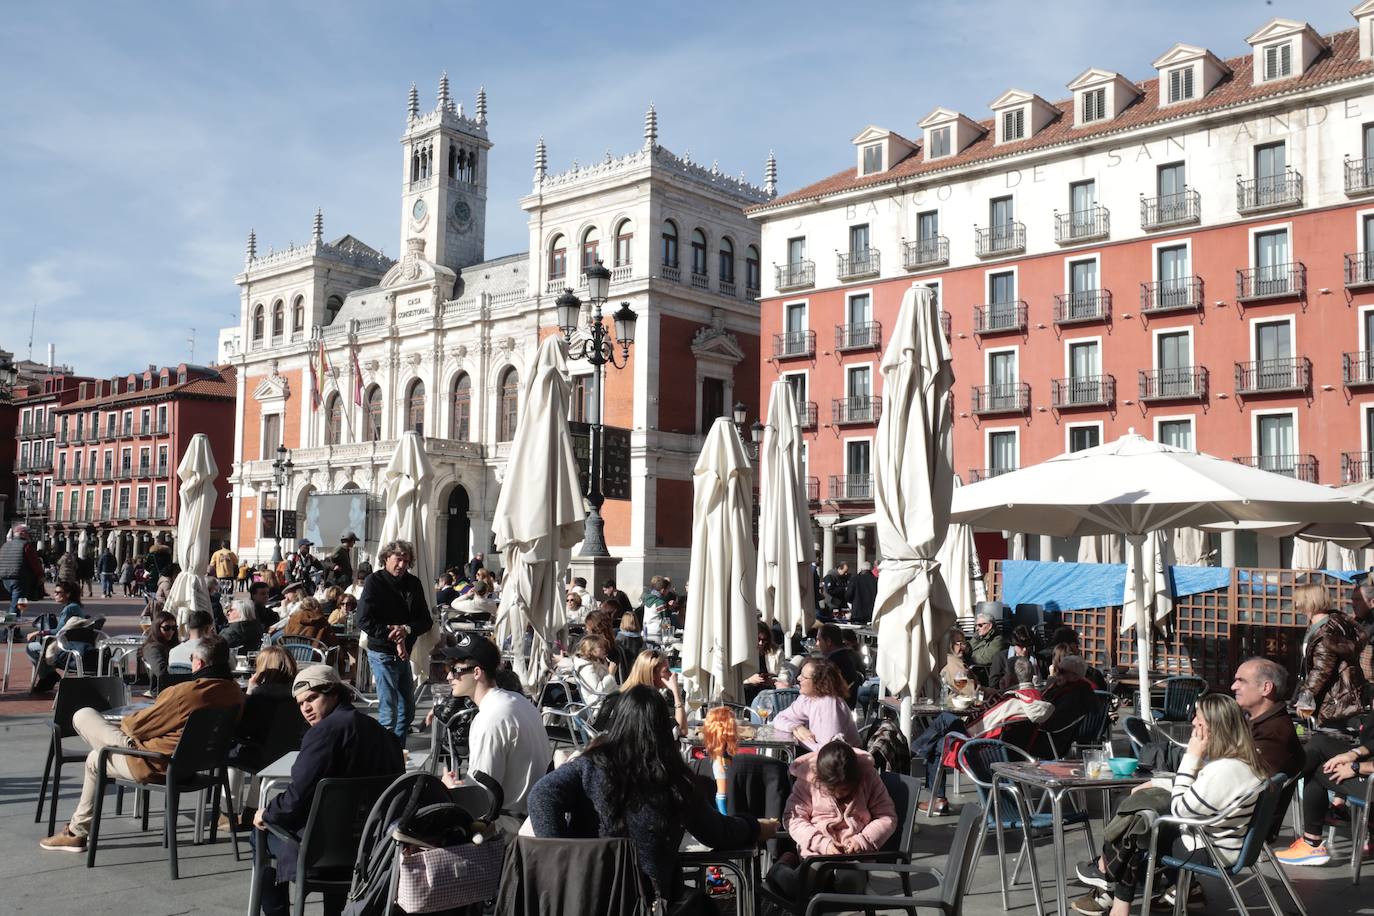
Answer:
[(913, 483)]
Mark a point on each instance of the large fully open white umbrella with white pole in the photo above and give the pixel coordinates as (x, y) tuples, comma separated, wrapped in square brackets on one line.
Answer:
[(1136, 487)]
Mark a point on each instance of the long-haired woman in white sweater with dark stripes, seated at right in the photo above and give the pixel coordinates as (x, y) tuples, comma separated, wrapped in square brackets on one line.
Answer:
[(1219, 767)]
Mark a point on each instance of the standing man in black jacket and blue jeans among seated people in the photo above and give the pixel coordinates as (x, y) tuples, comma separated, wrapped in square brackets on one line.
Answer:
[(395, 612)]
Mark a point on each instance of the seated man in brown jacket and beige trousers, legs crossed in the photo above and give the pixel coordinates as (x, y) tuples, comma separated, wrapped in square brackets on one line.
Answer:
[(157, 729)]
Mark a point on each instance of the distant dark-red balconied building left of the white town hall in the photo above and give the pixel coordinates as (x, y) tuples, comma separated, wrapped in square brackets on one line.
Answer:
[(116, 454)]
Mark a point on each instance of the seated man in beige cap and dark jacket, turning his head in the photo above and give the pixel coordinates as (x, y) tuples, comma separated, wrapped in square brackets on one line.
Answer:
[(341, 744)]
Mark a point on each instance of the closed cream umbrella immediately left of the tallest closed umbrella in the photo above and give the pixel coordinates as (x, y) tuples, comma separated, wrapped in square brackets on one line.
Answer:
[(785, 587)]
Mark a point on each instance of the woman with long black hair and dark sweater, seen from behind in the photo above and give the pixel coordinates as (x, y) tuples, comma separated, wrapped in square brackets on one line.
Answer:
[(634, 783)]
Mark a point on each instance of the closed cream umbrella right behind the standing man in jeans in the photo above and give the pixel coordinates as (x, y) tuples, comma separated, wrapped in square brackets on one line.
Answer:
[(407, 483)]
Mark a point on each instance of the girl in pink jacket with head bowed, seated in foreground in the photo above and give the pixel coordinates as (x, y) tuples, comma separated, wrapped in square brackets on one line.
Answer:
[(839, 807)]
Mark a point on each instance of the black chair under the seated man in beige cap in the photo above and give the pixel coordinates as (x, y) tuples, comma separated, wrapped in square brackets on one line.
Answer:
[(330, 840)]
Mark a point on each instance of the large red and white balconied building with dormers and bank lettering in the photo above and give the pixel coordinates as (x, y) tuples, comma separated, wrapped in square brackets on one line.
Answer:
[(1189, 256)]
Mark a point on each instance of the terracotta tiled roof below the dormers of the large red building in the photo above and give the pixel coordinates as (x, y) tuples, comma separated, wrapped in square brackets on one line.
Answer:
[(1339, 62)]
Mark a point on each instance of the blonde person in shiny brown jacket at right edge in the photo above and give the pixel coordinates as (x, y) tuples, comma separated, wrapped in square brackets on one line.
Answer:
[(1332, 659)]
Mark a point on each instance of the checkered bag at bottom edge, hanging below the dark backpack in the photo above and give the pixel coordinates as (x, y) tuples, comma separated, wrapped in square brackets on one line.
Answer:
[(449, 877)]
